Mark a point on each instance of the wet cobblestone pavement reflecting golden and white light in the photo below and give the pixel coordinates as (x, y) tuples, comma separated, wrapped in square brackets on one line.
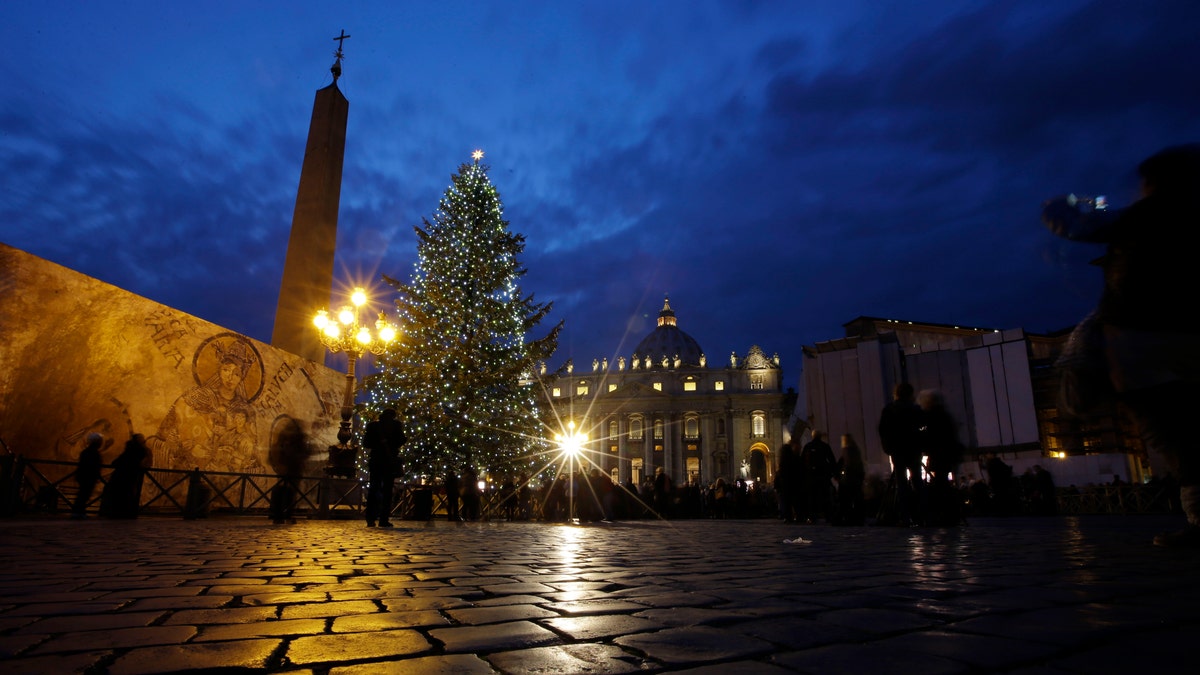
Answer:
[(1055, 595)]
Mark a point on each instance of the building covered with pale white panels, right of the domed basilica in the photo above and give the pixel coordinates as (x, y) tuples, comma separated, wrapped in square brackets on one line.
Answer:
[(999, 386)]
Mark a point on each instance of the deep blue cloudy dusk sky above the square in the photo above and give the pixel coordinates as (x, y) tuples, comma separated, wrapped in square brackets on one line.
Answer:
[(778, 169)]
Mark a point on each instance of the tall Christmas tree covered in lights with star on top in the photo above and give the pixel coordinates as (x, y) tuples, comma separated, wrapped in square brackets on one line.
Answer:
[(463, 373)]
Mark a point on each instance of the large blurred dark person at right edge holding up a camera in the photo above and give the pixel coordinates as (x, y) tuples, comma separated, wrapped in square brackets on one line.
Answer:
[(1150, 338)]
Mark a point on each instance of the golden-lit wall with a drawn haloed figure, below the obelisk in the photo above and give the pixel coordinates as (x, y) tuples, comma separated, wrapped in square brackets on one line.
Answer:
[(80, 356)]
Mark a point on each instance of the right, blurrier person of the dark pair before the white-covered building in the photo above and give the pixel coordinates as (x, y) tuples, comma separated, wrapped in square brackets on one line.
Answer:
[(940, 441)]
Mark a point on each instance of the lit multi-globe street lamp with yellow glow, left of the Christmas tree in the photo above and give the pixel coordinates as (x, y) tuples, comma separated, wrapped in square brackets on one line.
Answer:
[(345, 333)]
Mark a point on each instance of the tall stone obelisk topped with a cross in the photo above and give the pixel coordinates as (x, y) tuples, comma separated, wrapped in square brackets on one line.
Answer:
[(309, 267)]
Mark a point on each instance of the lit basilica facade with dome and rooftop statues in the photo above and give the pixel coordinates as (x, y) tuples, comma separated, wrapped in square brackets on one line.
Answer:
[(668, 407)]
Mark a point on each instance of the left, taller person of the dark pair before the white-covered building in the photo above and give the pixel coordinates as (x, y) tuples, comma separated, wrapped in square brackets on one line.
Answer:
[(901, 435)]
